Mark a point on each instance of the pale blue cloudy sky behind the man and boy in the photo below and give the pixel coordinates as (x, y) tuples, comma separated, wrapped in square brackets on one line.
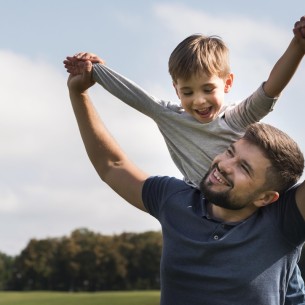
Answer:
[(48, 187)]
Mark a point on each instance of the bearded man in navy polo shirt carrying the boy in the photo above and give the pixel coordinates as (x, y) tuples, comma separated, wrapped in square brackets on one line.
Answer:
[(236, 240)]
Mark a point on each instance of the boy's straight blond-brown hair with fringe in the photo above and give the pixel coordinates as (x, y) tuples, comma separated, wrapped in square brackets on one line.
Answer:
[(198, 53)]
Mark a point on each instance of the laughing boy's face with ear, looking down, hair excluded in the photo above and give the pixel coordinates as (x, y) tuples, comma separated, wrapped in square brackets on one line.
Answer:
[(202, 96)]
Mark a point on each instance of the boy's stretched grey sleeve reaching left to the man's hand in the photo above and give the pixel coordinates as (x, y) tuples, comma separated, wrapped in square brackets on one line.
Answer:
[(127, 91)]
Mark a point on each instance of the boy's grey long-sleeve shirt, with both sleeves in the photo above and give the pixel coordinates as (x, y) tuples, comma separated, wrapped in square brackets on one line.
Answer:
[(191, 144)]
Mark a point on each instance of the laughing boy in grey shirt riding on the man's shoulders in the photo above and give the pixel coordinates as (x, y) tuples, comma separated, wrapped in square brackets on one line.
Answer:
[(203, 125)]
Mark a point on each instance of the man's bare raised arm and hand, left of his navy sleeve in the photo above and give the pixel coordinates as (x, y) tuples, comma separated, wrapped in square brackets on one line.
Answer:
[(109, 160)]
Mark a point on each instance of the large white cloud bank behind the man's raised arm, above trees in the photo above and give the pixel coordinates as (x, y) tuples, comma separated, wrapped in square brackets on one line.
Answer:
[(48, 185)]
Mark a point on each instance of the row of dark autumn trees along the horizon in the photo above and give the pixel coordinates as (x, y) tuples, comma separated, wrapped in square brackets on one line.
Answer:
[(85, 261)]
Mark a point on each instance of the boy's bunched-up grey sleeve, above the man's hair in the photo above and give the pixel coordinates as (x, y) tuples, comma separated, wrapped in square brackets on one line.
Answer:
[(250, 110)]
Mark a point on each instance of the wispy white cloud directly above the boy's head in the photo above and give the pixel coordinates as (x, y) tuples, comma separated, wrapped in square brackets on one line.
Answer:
[(239, 30)]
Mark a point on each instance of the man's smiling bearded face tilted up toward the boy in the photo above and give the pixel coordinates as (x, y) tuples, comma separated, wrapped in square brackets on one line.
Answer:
[(237, 177)]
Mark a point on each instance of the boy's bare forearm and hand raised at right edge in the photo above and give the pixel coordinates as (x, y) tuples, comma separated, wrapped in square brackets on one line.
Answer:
[(286, 66)]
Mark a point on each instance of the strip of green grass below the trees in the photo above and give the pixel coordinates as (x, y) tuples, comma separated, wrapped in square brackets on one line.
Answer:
[(95, 298)]
